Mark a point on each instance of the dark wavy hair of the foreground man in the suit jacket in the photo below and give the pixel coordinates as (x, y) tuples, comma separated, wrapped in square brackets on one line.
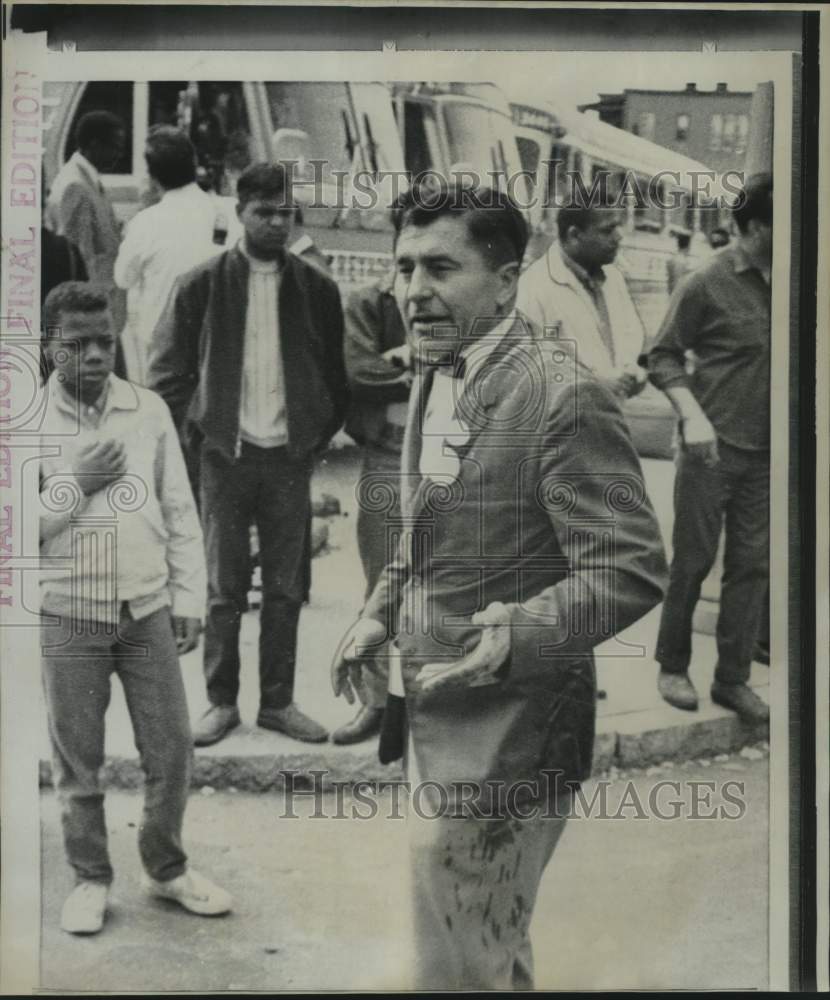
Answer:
[(494, 223)]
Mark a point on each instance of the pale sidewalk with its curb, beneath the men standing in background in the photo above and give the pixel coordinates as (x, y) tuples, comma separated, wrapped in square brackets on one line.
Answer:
[(635, 727)]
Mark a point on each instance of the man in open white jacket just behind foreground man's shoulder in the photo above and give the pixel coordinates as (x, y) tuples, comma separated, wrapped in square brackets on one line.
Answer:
[(576, 290)]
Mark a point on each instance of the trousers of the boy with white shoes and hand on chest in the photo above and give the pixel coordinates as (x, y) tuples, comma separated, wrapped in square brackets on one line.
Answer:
[(78, 659)]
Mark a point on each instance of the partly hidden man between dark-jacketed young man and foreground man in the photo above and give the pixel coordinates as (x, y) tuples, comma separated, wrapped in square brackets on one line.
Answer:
[(378, 368)]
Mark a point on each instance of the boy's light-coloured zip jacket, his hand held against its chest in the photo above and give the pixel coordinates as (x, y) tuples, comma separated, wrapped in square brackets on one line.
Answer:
[(137, 540)]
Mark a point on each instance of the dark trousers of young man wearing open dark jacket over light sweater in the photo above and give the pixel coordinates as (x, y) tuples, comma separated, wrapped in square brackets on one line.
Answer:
[(270, 488)]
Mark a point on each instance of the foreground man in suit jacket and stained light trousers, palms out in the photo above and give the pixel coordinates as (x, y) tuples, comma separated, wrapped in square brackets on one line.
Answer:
[(526, 539)]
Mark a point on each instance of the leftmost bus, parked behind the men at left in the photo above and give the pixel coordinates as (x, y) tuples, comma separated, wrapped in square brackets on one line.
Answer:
[(330, 131)]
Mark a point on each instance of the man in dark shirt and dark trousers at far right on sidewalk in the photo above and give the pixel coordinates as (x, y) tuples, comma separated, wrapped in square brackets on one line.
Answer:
[(722, 313)]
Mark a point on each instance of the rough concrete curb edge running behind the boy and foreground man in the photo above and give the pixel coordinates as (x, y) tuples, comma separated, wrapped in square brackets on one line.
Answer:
[(319, 767)]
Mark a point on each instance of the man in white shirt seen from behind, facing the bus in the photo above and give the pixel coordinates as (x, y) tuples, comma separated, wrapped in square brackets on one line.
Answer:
[(163, 241)]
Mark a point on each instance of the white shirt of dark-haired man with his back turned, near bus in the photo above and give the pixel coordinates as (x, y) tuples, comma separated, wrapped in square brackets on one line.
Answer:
[(160, 243)]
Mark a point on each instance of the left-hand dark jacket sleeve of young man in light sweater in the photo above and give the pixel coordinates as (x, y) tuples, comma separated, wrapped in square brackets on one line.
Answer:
[(174, 352)]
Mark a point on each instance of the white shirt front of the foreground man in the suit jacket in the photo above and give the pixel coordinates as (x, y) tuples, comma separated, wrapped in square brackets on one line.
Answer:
[(444, 429)]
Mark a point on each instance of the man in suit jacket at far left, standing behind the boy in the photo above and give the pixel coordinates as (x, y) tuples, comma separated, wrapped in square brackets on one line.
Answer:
[(79, 209)]
